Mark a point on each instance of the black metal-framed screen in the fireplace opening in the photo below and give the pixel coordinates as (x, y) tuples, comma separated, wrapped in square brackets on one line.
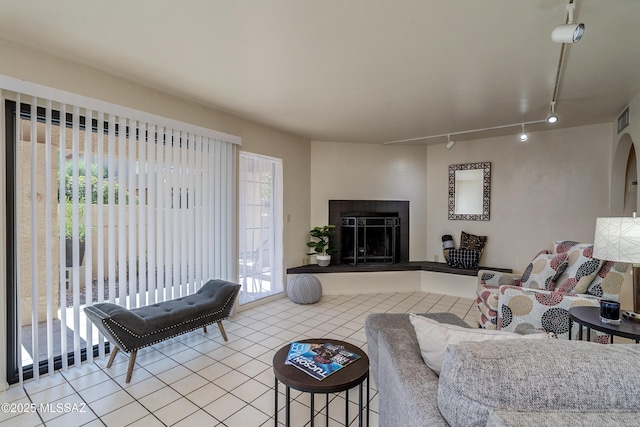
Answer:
[(369, 239)]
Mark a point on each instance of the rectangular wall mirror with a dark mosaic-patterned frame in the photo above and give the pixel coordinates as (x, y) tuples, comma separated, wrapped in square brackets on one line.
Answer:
[(470, 191)]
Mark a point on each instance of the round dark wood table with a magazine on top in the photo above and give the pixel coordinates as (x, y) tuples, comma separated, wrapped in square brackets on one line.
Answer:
[(345, 379)]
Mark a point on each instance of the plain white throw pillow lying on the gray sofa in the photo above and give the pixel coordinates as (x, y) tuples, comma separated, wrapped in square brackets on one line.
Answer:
[(434, 337)]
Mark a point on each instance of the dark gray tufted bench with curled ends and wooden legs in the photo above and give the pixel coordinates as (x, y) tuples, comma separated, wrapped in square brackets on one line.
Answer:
[(131, 330)]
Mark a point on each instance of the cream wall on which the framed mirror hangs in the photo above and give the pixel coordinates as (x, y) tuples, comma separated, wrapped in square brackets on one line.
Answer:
[(551, 187)]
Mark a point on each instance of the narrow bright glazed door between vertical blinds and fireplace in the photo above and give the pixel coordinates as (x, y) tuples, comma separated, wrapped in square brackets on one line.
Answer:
[(260, 237)]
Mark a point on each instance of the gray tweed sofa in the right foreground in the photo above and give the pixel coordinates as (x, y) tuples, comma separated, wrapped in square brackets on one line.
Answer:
[(501, 383)]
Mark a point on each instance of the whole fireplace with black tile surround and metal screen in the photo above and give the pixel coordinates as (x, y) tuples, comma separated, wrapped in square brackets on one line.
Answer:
[(369, 231)]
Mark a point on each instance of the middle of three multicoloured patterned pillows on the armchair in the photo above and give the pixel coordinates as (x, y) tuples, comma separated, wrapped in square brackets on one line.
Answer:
[(581, 269)]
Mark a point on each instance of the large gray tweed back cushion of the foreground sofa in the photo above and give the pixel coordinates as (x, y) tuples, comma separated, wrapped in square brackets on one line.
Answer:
[(479, 378)]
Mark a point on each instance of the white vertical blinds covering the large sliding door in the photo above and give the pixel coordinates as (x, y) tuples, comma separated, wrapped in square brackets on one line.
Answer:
[(152, 202)]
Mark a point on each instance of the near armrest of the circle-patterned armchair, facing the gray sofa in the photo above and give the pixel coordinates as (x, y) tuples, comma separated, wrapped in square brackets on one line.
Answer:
[(522, 308)]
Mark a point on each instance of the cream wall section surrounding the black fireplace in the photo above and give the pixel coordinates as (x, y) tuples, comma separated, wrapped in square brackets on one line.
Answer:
[(371, 172)]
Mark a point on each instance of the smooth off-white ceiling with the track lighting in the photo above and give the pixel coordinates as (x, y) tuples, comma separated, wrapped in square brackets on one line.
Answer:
[(366, 71)]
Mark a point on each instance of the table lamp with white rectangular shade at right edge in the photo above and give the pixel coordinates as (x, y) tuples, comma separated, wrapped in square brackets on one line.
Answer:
[(618, 239)]
